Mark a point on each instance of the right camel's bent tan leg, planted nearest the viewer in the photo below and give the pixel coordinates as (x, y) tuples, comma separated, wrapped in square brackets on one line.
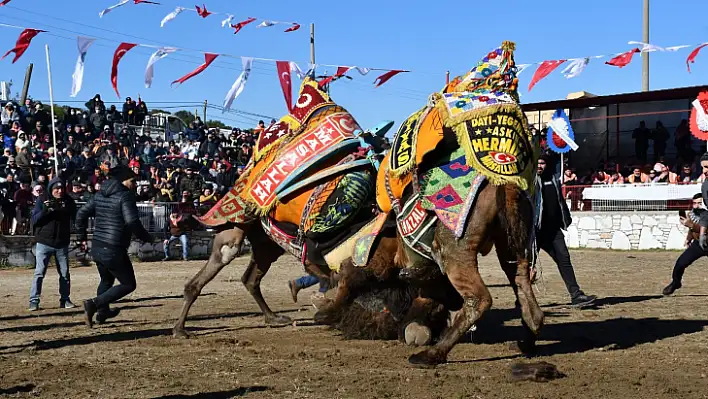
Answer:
[(459, 259)]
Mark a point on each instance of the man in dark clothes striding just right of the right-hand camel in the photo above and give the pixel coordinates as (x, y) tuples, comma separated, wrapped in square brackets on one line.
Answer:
[(552, 217)]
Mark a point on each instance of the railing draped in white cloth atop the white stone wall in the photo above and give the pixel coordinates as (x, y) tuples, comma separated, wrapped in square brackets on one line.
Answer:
[(679, 197)]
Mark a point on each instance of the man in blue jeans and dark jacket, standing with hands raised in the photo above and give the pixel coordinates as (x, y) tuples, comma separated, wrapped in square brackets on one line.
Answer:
[(51, 218)]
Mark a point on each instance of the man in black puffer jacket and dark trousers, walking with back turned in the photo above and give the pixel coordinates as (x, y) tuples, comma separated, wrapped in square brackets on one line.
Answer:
[(116, 220)]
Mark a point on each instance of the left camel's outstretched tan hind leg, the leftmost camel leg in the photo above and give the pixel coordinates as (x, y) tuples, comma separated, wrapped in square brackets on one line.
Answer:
[(226, 246)]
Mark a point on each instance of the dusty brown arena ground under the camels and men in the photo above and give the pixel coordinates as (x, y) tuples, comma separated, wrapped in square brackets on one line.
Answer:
[(634, 344)]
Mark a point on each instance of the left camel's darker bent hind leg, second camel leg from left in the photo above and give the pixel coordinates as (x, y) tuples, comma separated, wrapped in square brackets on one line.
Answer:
[(264, 253)]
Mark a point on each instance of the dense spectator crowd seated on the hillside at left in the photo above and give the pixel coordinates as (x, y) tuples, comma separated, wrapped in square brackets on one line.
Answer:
[(193, 171)]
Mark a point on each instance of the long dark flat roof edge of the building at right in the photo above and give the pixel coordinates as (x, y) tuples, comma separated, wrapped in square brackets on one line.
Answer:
[(584, 102)]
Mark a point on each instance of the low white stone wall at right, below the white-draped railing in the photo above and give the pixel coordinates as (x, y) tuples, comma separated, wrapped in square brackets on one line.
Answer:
[(626, 230)]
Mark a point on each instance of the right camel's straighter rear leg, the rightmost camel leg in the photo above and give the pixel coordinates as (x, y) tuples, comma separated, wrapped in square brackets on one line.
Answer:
[(516, 269)]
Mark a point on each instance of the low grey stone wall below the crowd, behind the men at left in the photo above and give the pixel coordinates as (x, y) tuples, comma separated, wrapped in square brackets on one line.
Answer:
[(19, 251)]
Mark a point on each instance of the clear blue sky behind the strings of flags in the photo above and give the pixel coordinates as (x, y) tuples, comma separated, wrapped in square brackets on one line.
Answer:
[(426, 38)]
